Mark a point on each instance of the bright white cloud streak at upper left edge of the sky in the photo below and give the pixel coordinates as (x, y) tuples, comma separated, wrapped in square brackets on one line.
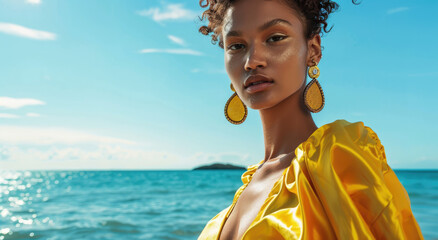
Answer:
[(17, 30)]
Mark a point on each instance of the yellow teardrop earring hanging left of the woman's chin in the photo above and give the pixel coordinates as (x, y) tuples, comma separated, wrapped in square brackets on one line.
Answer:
[(235, 111)]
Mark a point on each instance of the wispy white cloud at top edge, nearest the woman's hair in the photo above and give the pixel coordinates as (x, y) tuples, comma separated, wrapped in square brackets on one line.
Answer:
[(171, 12)]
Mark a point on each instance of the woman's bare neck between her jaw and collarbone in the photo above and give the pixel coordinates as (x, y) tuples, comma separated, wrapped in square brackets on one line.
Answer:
[(286, 125)]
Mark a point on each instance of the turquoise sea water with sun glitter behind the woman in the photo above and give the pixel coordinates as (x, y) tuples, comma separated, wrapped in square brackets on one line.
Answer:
[(145, 204)]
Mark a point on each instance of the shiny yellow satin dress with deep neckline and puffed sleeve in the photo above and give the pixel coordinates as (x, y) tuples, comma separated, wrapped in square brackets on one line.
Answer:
[(338, 186)]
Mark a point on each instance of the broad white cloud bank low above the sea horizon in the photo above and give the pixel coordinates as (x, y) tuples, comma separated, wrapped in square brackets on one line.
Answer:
[(27, 148)]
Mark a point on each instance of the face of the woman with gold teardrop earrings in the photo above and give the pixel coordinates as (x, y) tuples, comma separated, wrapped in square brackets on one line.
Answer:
[(278, 51)]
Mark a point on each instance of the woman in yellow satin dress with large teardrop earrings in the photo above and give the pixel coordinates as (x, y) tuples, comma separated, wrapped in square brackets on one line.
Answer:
[(330, 182)]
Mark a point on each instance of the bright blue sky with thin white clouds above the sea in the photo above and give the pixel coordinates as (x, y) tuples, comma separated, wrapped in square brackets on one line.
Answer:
[(133, 85)]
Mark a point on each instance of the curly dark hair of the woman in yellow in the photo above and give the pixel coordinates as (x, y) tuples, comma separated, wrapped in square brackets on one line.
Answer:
[(315, 13)]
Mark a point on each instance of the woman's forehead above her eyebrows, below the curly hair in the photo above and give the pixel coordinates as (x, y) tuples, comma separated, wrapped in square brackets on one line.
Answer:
[(249, 15)]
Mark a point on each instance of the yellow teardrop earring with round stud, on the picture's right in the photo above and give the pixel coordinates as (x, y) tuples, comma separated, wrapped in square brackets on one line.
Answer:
[(313, 94)]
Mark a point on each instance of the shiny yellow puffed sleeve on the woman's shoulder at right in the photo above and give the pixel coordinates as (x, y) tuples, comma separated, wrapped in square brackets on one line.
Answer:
[(341, 171)]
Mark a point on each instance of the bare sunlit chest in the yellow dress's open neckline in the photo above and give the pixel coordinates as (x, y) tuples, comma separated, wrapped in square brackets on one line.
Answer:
[(247, 207)]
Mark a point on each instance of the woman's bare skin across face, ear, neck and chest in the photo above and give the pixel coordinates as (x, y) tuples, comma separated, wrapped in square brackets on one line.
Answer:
[(281, 52)]
